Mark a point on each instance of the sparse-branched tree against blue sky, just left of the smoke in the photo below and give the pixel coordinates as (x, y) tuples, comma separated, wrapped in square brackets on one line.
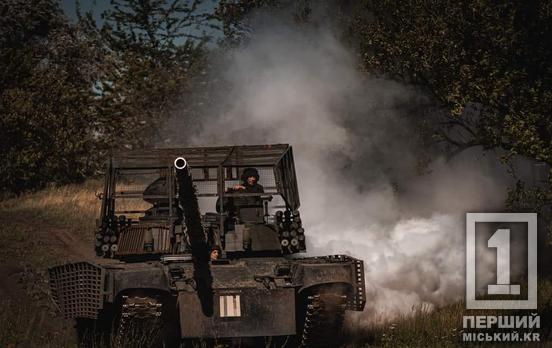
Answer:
[(157, 51)]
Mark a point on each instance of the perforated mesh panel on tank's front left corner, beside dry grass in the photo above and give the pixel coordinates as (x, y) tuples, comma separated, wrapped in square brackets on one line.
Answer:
[(77, 289)]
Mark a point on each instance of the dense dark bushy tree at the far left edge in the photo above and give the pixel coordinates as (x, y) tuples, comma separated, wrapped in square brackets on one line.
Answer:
[(47, 67)]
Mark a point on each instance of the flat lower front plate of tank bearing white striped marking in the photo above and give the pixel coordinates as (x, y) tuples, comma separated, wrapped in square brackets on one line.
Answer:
[(239, 313)]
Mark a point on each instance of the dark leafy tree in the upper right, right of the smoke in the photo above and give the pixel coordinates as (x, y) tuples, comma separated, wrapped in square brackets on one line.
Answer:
[(486, 66)]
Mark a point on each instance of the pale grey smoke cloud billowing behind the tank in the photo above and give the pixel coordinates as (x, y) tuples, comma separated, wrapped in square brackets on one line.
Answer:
[(356, 157)]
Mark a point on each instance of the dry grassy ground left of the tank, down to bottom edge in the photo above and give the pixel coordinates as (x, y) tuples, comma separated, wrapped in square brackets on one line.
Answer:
[(37, 231)]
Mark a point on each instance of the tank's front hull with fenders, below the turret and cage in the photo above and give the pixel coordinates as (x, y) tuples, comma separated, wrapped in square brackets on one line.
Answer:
[(245, 297)]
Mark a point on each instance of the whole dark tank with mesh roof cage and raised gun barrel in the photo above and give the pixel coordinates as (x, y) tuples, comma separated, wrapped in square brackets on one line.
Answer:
[(163, 212)]
